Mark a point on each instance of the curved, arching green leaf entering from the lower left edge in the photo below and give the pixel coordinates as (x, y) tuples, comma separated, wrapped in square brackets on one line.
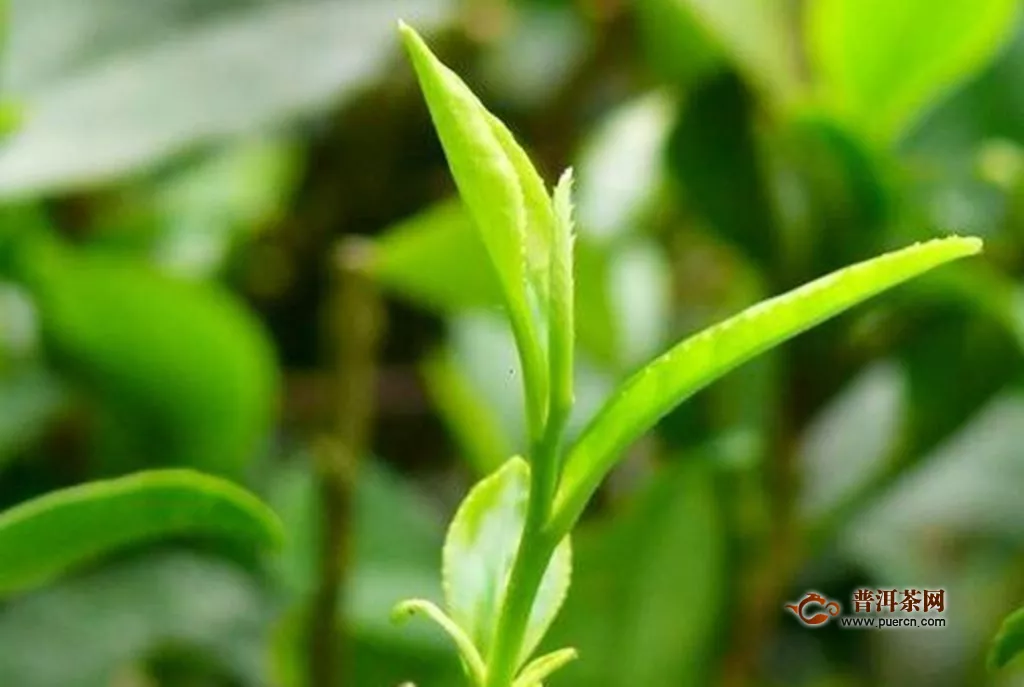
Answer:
[(44, 538)]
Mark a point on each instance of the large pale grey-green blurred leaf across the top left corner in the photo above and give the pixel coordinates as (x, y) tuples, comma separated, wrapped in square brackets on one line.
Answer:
[(90, 121)]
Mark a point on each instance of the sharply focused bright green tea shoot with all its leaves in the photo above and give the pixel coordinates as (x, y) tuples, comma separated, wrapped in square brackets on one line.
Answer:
[(507, 561)]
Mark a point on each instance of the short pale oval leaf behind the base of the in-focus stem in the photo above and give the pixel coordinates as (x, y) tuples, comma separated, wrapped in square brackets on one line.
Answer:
[(481, 550)]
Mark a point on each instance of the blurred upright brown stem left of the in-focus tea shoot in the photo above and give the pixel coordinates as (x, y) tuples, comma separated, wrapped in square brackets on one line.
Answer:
[(354, 322)]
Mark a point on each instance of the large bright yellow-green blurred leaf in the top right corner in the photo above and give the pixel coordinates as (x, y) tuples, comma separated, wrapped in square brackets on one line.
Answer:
[(879, 65)]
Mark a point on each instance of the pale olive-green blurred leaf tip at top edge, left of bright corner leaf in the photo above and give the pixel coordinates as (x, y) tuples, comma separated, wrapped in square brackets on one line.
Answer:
[(756, 36)]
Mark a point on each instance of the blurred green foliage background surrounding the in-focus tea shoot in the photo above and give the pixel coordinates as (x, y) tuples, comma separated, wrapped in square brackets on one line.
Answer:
[(229, 241)]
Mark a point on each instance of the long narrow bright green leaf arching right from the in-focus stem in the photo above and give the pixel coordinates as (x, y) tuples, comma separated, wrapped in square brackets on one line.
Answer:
[(696, 363)]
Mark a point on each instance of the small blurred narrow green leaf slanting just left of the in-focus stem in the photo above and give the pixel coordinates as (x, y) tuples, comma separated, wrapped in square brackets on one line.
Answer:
[(479, 434)]
